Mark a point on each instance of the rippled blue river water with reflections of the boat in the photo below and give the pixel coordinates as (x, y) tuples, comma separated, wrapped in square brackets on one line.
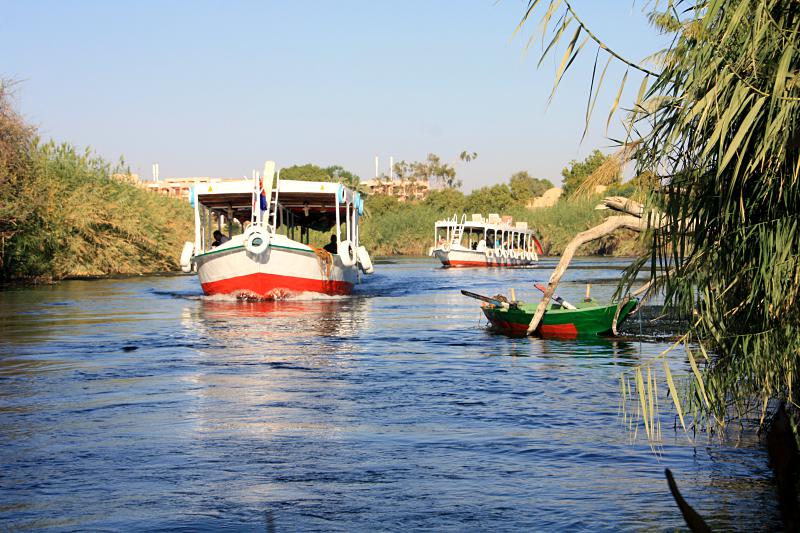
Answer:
[(138, 404)]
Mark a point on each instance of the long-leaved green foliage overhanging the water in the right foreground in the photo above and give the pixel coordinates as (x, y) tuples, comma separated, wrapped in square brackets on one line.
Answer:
[(719, 127)]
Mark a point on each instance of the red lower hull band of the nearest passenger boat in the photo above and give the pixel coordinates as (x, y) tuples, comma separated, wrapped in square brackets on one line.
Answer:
[(274, 286)]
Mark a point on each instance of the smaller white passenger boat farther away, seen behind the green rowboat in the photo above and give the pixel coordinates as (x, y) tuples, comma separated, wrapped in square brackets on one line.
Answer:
[(485, 242)]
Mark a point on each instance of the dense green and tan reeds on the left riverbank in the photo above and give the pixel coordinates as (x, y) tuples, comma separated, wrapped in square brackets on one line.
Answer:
[(65, 212)]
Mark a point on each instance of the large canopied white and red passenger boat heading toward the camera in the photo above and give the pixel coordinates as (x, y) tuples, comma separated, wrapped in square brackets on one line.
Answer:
[(267, 254)]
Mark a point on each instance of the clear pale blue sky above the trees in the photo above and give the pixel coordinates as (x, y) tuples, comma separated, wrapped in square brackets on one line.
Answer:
[(215, 88)]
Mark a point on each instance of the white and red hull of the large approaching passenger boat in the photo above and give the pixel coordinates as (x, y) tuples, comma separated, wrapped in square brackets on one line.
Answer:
[(276, 273)]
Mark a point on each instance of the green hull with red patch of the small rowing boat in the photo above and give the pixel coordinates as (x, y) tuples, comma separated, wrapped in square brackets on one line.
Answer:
[(588, 320)]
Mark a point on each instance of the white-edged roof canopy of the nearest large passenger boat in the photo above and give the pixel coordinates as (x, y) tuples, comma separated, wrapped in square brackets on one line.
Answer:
[(312, 204)]
